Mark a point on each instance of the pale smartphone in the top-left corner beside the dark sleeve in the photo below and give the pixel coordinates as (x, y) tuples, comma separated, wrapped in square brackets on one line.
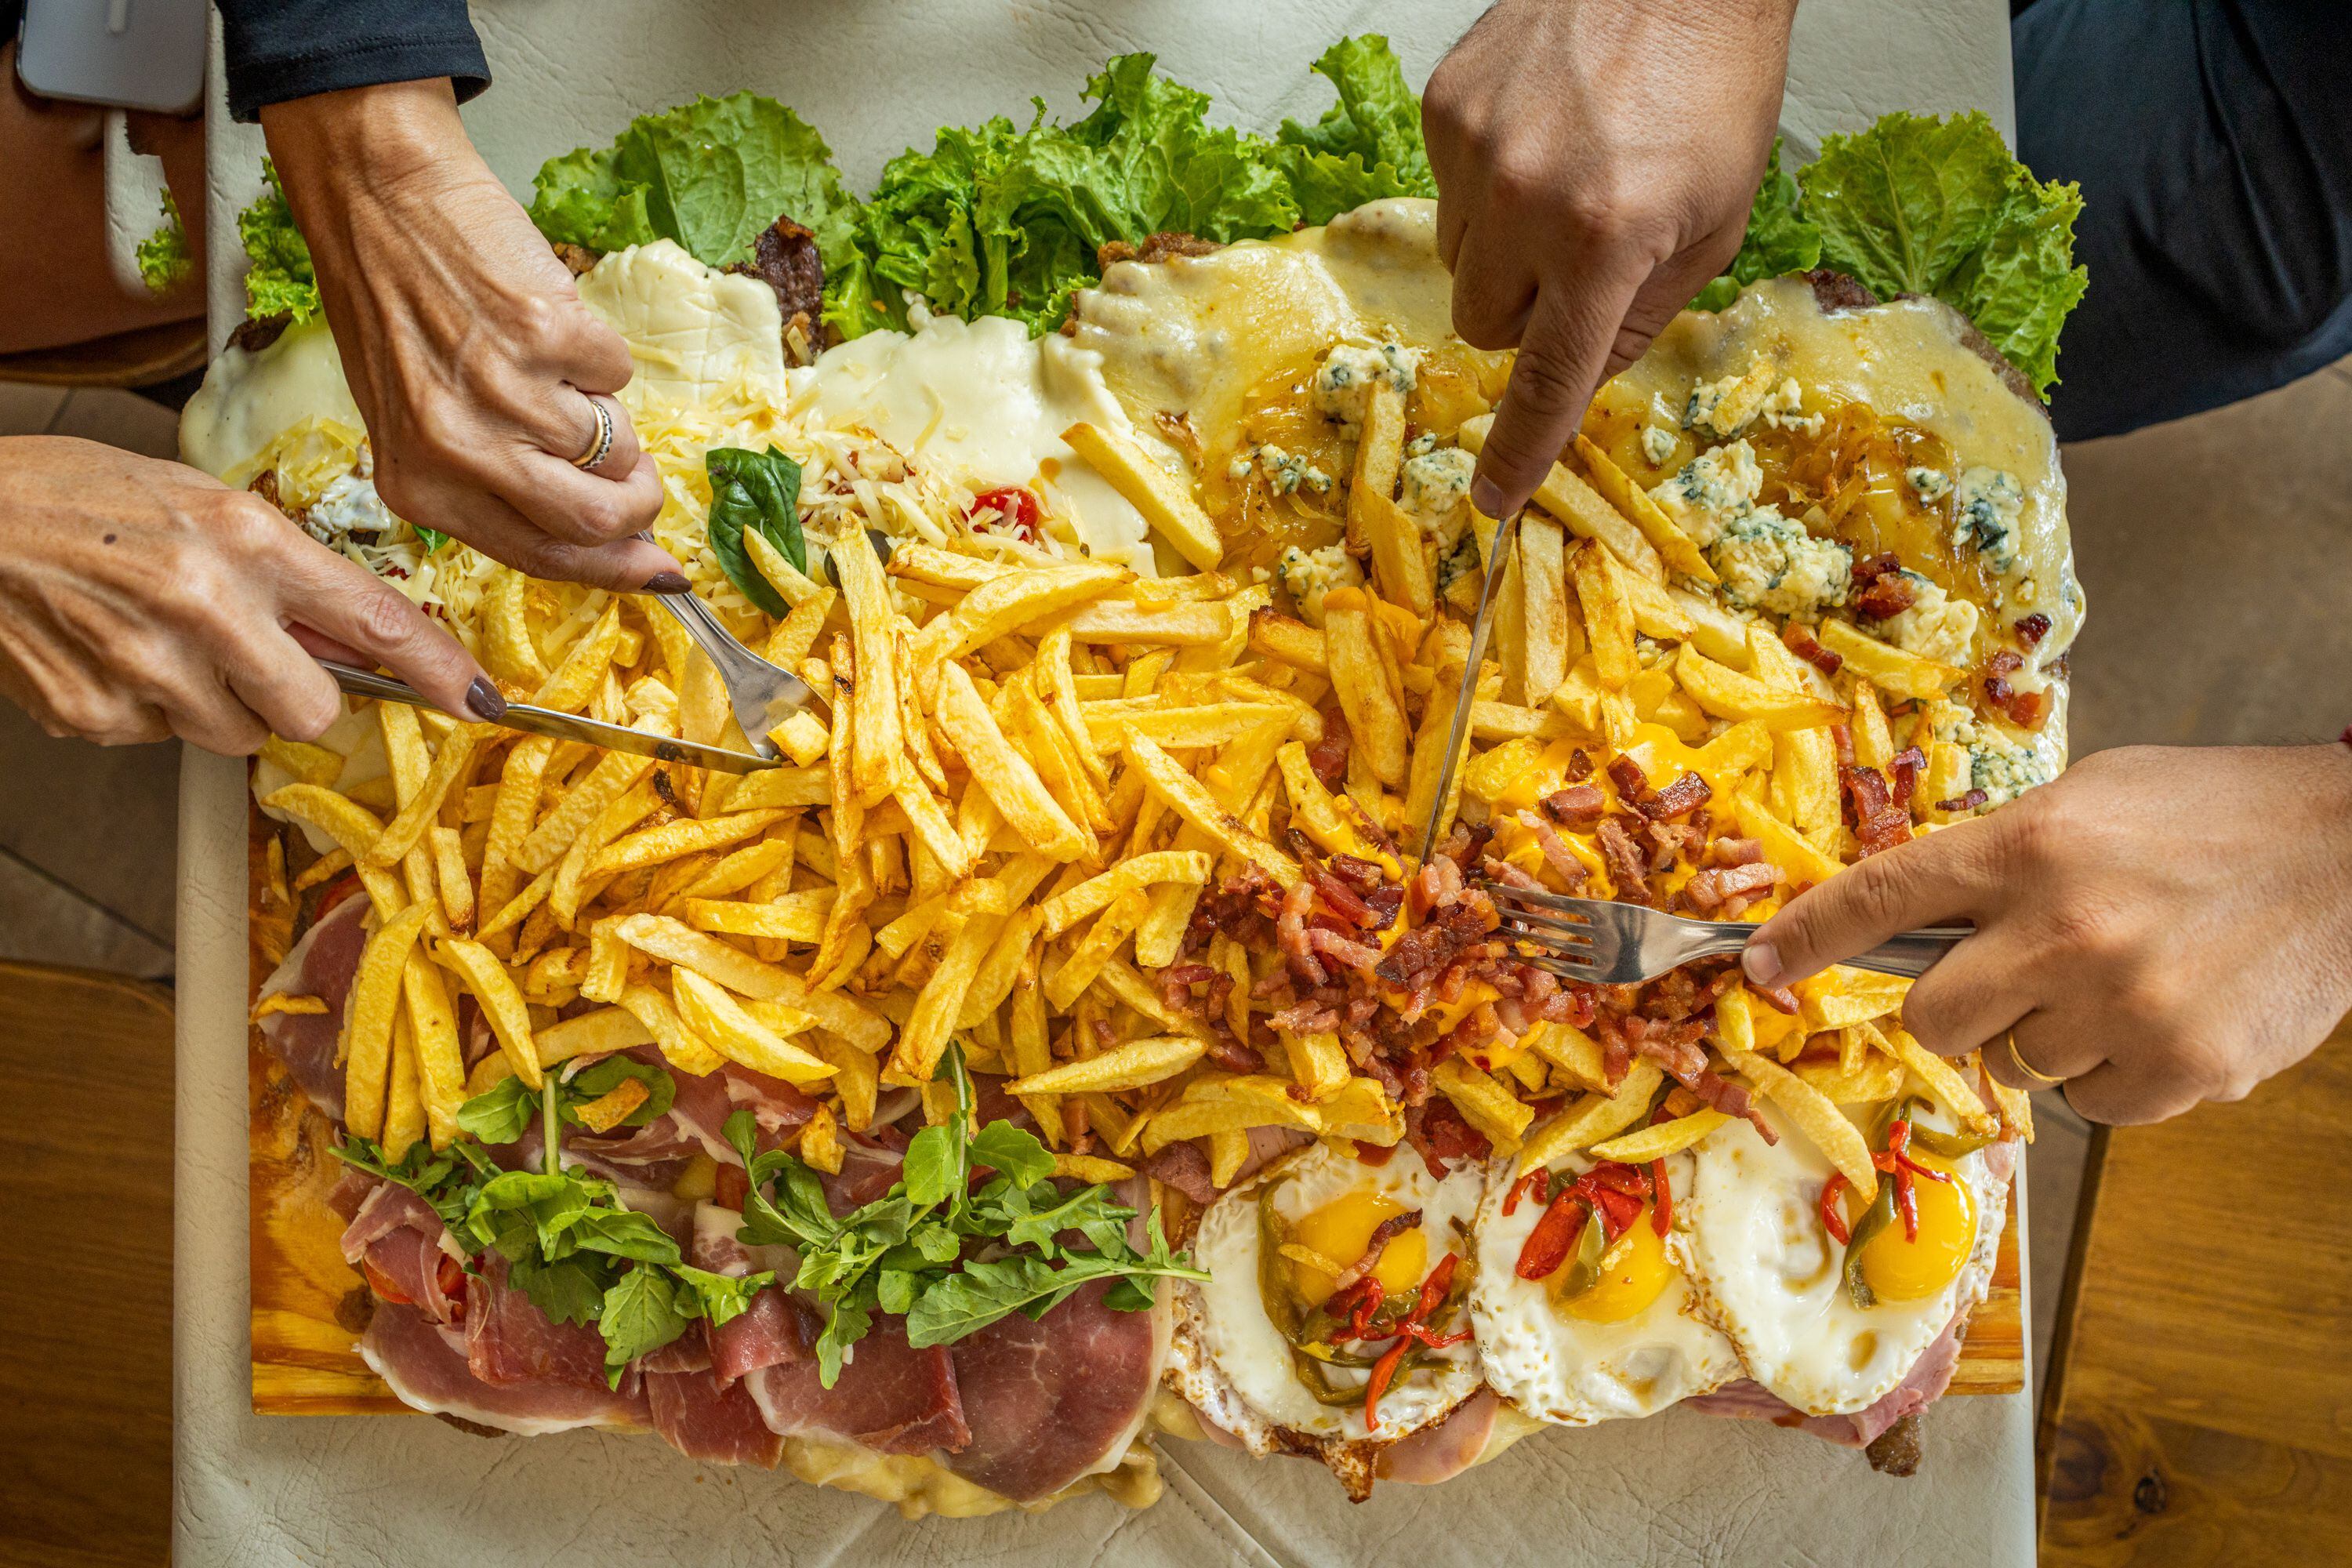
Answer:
[(119, 53)]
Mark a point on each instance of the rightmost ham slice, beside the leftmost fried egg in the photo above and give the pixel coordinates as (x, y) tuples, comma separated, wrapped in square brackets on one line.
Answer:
[(1057, 1400)]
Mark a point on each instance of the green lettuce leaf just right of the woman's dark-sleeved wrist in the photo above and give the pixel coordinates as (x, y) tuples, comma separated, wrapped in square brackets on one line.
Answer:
[(709, 175)]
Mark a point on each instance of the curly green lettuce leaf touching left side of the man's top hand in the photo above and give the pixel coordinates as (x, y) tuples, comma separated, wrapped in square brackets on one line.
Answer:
[(1368, 147)]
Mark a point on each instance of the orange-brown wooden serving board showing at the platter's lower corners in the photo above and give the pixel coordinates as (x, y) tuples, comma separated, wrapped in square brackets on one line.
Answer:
[(309, 1306)]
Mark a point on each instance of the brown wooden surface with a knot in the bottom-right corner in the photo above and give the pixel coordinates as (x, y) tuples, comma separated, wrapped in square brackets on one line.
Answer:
[(2203, 1372)]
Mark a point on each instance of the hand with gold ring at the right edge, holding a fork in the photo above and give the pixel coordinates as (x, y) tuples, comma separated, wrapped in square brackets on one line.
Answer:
[(2158, 925)]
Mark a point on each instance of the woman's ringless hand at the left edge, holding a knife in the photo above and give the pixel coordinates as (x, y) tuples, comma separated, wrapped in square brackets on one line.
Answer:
[(142, 601)]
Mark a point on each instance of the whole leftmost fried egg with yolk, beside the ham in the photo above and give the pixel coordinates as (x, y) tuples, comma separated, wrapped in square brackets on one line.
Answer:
[(1252, 1348)]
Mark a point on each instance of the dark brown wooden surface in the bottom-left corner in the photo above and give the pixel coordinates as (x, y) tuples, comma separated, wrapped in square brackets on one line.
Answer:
[(86, 1184)]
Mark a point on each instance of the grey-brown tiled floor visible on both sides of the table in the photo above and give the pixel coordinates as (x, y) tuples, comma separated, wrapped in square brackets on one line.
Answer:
[(2217, 584)]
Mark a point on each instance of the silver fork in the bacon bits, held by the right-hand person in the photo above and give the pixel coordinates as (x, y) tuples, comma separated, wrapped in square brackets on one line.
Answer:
[(1622, 944)]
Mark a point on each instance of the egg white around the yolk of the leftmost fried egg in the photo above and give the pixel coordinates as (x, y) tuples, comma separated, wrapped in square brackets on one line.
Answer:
[(1231, 1360)]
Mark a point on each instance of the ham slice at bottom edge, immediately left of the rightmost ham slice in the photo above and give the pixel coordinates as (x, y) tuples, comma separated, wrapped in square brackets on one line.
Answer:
[(890, 1398)]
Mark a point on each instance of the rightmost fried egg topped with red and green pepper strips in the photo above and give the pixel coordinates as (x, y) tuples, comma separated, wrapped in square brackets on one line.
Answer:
[(1772, 1278)]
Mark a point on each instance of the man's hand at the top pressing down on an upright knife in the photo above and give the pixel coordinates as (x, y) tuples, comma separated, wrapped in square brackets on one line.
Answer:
[(1596, 161)]
